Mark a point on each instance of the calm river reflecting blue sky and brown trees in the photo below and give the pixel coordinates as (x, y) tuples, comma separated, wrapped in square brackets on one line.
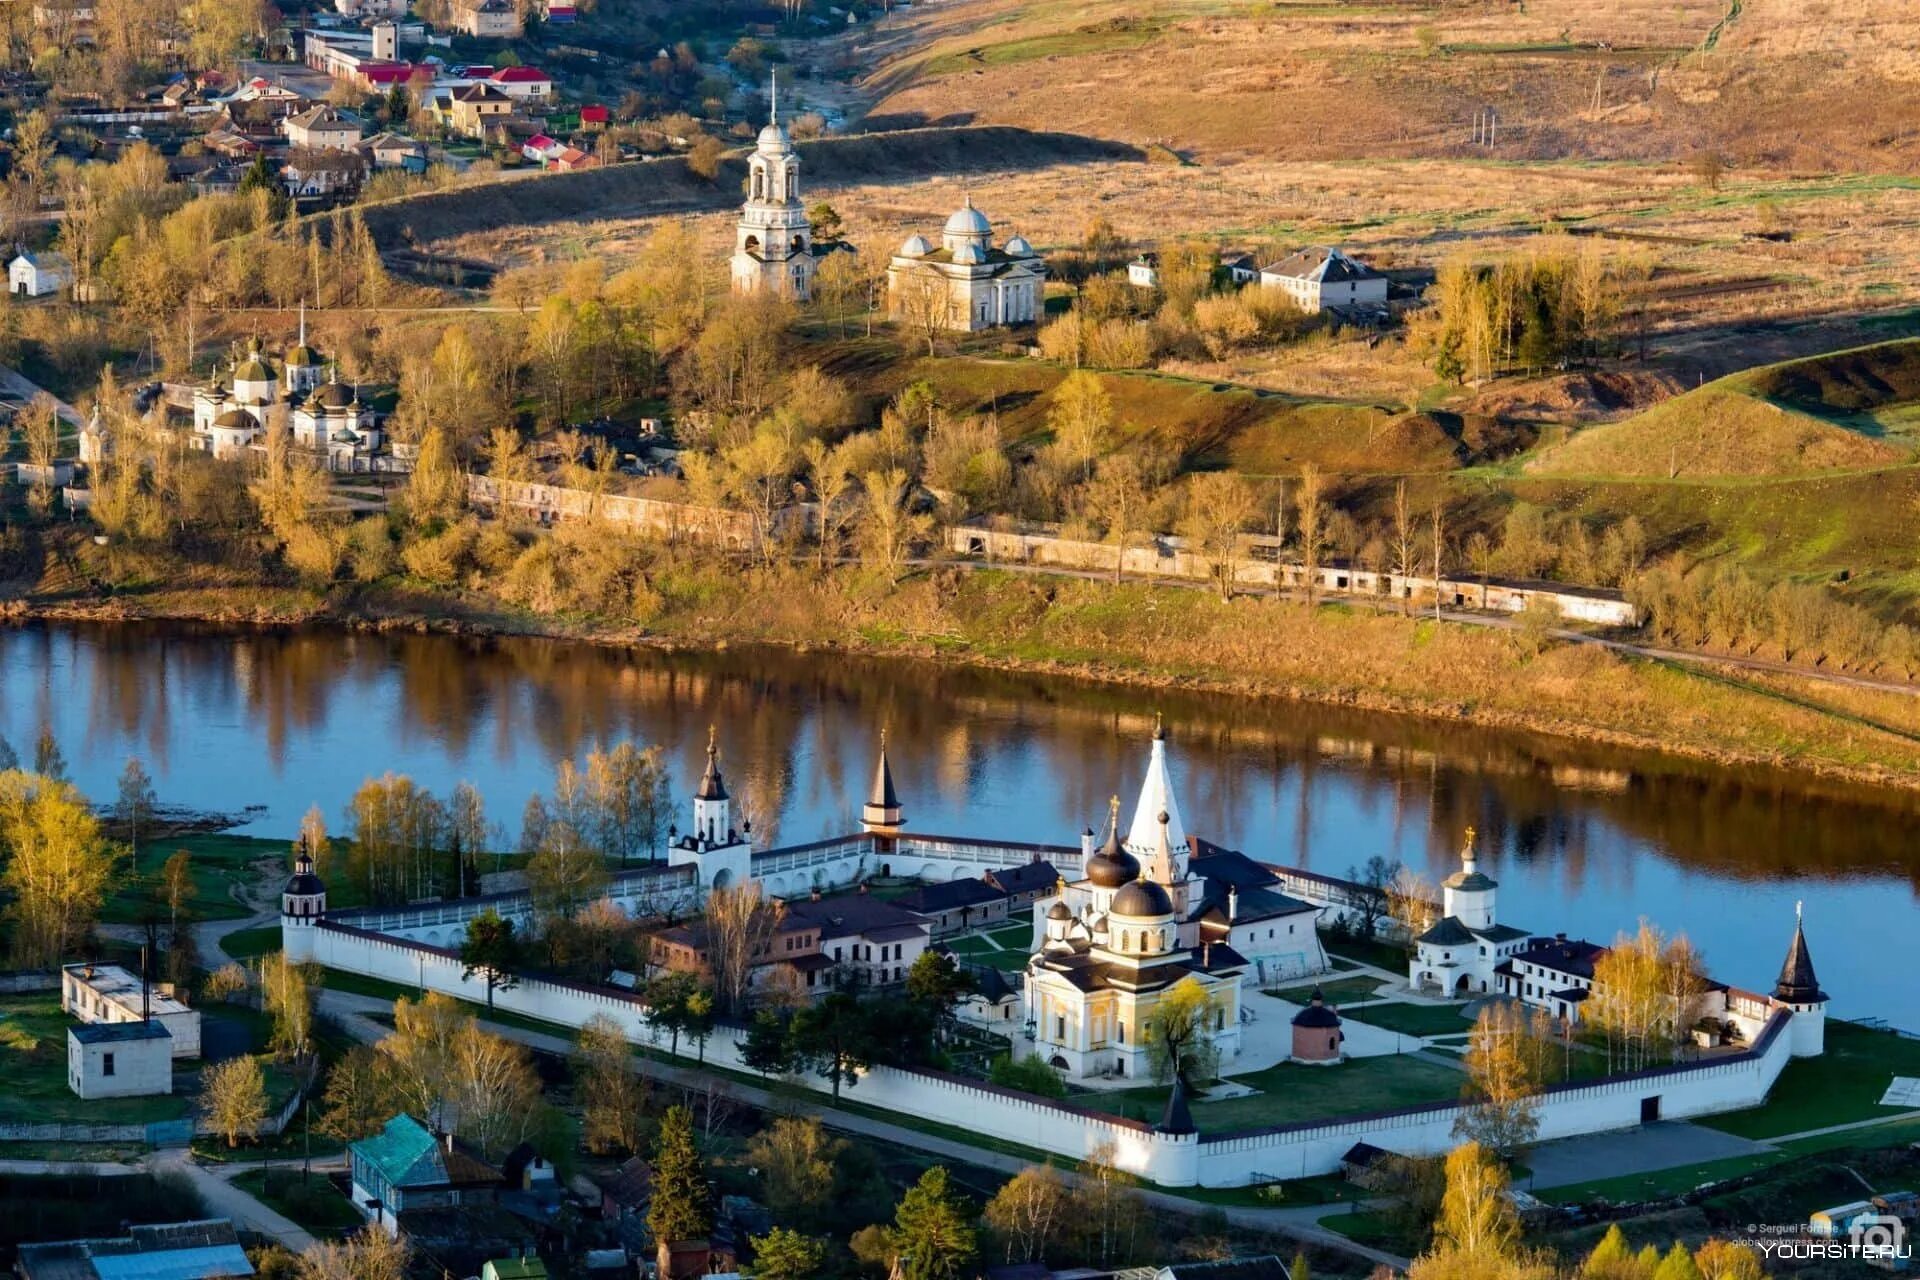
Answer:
[(1581, 840)]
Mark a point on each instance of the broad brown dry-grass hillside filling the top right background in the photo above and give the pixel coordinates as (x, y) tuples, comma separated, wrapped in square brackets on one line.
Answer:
[(1779, 83)]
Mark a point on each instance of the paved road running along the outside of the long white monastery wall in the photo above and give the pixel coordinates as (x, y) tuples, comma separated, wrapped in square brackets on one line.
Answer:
[(350, 1012)]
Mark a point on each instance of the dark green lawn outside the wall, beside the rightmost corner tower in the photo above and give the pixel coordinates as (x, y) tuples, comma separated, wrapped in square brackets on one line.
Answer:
[(1840, 1087)]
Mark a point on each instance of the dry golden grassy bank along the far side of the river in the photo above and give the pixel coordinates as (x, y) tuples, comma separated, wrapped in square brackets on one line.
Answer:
[(1136, 636)]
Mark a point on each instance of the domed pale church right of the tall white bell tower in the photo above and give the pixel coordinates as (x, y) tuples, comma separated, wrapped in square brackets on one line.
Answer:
[(967, 285)]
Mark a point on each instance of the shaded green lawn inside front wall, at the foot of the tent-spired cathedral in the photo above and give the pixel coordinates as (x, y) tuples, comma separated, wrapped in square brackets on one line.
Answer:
[(1291, 1093)]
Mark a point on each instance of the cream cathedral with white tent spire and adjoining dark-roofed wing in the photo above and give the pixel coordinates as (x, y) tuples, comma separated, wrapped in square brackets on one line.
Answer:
[(1147, 916)]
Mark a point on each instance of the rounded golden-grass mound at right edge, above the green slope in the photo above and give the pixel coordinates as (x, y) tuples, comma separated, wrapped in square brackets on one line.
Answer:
[(1815, 415)]
